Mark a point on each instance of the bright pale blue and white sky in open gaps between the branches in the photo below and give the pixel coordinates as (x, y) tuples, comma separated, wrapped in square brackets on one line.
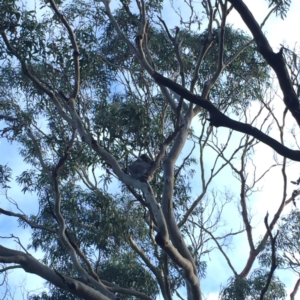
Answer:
[(265, 200)]
